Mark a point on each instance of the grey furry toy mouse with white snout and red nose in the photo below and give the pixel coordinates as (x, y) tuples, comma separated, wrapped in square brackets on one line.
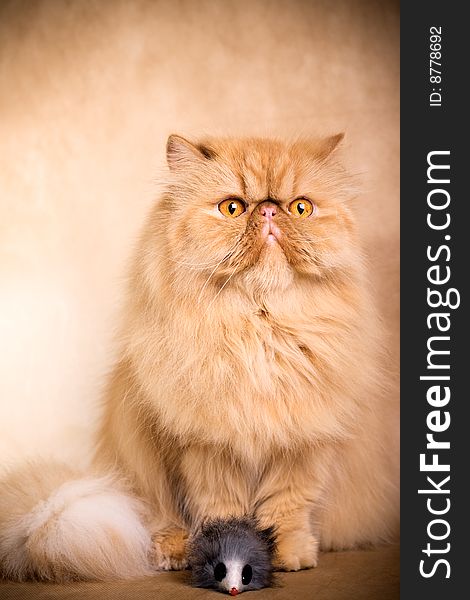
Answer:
[(232, 555)]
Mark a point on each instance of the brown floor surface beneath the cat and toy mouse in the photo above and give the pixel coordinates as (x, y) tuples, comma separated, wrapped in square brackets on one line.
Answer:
[(360, 575)]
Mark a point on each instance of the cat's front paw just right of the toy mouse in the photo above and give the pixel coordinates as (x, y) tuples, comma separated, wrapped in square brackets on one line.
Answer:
[(296, 551)]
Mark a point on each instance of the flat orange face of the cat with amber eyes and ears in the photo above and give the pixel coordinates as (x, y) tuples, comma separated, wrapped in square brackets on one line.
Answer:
[(258, 211)]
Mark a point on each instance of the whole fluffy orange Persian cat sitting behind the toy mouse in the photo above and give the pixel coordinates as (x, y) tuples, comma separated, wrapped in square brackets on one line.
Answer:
[(249, 379)]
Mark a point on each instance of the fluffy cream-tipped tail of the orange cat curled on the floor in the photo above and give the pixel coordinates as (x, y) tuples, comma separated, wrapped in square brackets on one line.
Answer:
[(58, 525)]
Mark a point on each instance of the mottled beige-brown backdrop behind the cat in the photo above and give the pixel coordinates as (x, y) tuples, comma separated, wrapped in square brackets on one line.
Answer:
[(89, 92)]
